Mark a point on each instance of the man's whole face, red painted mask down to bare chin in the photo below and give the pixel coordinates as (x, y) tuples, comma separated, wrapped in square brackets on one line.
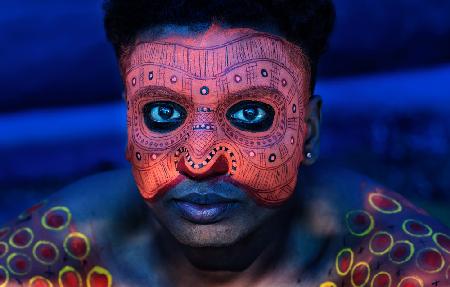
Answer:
[(216, 129)]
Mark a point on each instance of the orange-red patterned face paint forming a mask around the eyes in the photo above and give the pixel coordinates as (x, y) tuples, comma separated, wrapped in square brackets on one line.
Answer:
[(207, 81)]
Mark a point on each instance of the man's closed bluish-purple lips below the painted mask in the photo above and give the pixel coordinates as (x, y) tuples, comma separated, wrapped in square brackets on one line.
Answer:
[(204, 208)]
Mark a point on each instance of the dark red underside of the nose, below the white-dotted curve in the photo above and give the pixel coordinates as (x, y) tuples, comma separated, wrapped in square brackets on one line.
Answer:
[(218, 168)]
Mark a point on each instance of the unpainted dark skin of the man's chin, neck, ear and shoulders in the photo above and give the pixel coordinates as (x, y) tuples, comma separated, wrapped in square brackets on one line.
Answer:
[(293, 244)]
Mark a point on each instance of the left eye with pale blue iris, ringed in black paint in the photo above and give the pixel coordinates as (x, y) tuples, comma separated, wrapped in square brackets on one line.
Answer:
[(163, 116)]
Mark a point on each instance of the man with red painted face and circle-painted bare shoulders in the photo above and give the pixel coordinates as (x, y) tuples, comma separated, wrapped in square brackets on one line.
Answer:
[(221, 124)]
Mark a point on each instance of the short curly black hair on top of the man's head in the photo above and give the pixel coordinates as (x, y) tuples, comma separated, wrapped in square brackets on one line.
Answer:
[(307, 23)]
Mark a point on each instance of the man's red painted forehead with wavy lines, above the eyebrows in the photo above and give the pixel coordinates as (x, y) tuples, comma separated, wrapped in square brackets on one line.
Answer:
[(216, 63)]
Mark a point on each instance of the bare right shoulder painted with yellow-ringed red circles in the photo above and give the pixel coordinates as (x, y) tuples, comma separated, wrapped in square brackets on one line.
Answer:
[(388, 241)]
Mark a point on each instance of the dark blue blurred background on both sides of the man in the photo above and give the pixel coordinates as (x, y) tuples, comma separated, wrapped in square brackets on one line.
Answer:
[(385, 82)]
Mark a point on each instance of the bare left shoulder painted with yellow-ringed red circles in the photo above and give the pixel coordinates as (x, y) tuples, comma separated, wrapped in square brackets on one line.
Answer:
[(63, 241)]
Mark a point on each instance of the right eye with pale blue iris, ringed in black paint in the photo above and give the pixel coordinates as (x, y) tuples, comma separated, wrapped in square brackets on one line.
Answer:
[(251, 116)]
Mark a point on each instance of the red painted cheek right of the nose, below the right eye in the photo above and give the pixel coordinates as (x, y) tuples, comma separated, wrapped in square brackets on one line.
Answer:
[(268, 162)]
